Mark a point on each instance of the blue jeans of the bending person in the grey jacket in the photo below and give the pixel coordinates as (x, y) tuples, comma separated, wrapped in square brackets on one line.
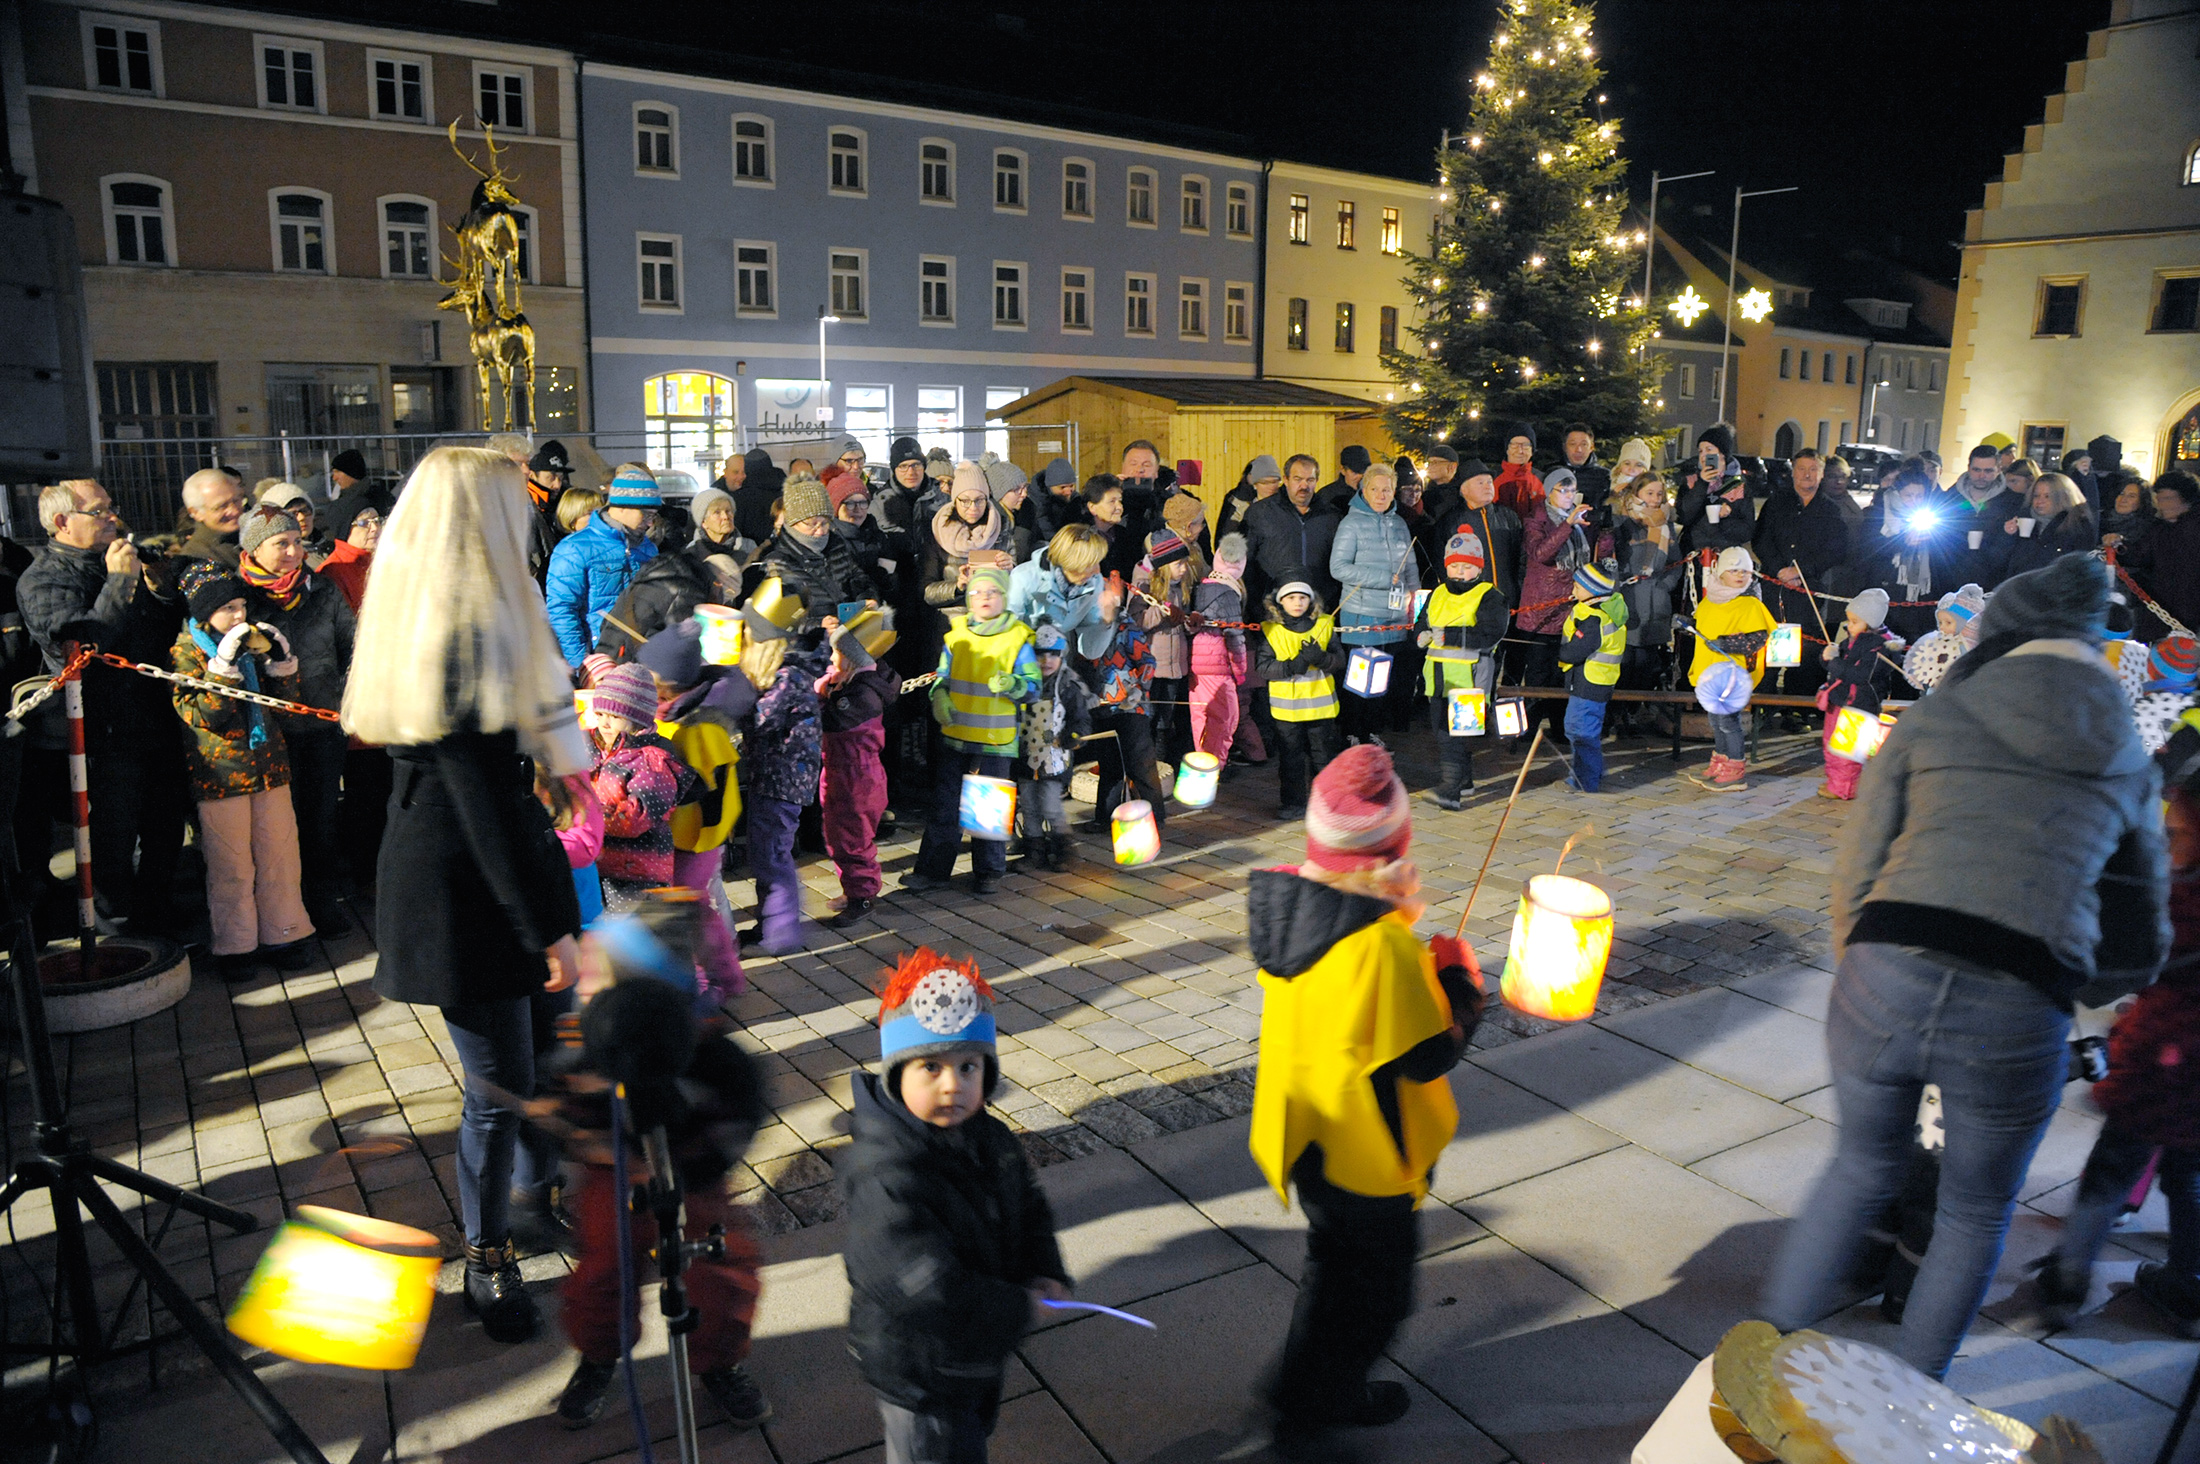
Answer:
[(1904, 1018)]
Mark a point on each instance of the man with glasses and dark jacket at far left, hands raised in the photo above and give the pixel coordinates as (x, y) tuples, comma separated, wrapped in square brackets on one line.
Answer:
[(91, 587)]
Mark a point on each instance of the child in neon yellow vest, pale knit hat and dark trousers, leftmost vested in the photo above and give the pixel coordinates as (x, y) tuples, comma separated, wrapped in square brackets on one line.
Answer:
[(984, 670)]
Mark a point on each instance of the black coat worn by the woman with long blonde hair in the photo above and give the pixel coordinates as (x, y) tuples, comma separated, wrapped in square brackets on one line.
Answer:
[(472, 880)]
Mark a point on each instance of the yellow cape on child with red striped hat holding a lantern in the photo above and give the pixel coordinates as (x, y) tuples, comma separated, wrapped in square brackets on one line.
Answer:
[(1369, 1001)]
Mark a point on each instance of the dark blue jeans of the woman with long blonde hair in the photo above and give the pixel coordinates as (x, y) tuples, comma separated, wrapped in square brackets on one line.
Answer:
[(500, 1042)]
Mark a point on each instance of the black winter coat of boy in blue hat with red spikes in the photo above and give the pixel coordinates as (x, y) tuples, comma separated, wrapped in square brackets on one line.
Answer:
[(947, 1227)]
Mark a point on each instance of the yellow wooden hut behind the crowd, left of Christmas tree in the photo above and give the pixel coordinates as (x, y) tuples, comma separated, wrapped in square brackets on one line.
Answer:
[(1218, 422)]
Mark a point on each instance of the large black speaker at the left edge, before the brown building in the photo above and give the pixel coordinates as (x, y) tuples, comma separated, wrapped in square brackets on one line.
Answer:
[(45, 362)]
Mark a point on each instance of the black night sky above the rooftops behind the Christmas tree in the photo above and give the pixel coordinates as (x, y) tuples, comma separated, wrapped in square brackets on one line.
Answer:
[(1891, 113)]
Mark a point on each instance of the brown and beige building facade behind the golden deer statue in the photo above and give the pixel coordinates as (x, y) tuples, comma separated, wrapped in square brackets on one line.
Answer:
[(265, 208)]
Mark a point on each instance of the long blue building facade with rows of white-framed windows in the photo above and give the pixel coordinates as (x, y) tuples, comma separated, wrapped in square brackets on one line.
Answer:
[(962, 263)]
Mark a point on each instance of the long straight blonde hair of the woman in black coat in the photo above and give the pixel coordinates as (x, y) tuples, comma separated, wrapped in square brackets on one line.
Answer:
[(452, 629)]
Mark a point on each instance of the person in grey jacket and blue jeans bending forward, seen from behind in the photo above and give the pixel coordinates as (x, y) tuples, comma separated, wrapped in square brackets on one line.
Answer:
[(2005, 860)]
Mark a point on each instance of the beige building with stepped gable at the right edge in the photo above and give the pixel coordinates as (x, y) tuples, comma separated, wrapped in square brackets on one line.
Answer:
[(2078, 312)]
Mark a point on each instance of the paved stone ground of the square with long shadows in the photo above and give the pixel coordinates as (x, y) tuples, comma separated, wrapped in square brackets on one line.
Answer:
[(1605, 1214)]
